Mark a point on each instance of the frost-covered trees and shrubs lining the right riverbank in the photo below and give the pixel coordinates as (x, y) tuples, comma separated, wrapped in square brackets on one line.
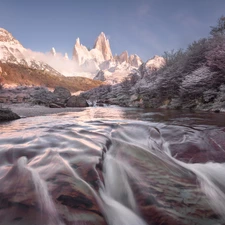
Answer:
[(190, 78)]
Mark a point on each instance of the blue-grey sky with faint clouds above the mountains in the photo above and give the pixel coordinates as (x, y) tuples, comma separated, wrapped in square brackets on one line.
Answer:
[(142, 27)]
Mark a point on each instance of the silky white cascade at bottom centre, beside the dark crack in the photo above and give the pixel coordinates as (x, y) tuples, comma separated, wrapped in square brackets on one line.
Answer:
[(119, 202)]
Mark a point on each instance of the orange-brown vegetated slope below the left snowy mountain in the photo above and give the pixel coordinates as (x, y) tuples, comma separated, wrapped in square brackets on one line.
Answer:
[(21, 75)]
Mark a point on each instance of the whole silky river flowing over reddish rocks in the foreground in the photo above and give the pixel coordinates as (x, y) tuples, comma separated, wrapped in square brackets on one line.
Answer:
[(114, 166)]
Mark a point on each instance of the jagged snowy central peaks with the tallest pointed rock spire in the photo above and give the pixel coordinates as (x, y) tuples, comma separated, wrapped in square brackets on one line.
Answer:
[(114, 69)]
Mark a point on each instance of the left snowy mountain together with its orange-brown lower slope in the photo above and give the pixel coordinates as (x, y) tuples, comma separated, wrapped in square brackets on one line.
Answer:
[(21, 66)]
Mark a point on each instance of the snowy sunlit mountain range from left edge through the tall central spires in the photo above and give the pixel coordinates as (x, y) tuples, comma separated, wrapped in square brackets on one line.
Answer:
[(84, 63)]
